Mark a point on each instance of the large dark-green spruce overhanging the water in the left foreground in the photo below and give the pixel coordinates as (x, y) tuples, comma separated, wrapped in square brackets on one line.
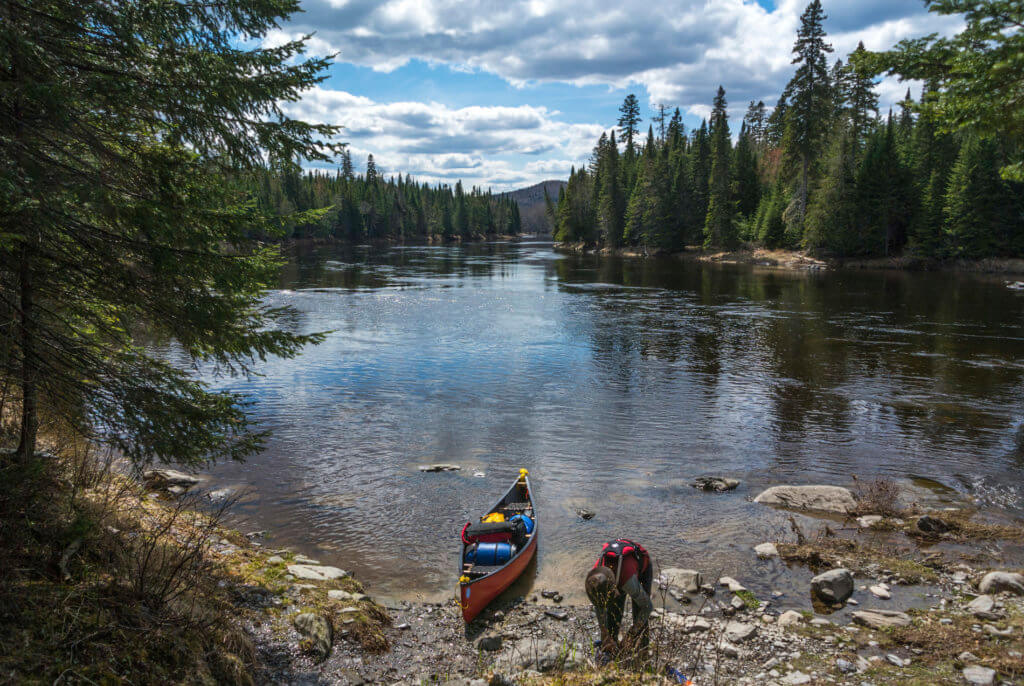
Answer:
[(127, 136)]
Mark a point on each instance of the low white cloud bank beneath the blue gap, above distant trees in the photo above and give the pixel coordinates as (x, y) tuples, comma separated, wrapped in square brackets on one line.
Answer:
[(438, 144)]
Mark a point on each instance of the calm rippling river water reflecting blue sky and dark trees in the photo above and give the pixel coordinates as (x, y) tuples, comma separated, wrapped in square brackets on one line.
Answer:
[(615, 382)]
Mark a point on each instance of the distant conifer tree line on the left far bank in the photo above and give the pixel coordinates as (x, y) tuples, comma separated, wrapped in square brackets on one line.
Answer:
[(358, 208)]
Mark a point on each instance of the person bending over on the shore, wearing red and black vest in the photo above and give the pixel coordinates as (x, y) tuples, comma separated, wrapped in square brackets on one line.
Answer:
[(624, 569)]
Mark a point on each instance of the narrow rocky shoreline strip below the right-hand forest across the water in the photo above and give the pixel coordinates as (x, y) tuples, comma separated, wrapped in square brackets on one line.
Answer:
[(793, 260)]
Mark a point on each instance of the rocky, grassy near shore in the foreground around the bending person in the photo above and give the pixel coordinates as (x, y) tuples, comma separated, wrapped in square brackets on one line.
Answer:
[(107, 575)]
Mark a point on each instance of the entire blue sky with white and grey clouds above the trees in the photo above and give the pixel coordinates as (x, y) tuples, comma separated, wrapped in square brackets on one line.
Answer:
[(506, 94)]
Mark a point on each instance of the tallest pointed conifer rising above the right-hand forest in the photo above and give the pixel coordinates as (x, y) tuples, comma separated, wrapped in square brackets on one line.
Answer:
[(810, 108)]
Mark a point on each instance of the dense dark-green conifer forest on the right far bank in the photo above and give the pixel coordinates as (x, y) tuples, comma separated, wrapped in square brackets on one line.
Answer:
[(825, 170)]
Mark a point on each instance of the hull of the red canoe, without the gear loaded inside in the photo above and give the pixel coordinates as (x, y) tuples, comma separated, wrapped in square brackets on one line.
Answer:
[(479, 584)]
